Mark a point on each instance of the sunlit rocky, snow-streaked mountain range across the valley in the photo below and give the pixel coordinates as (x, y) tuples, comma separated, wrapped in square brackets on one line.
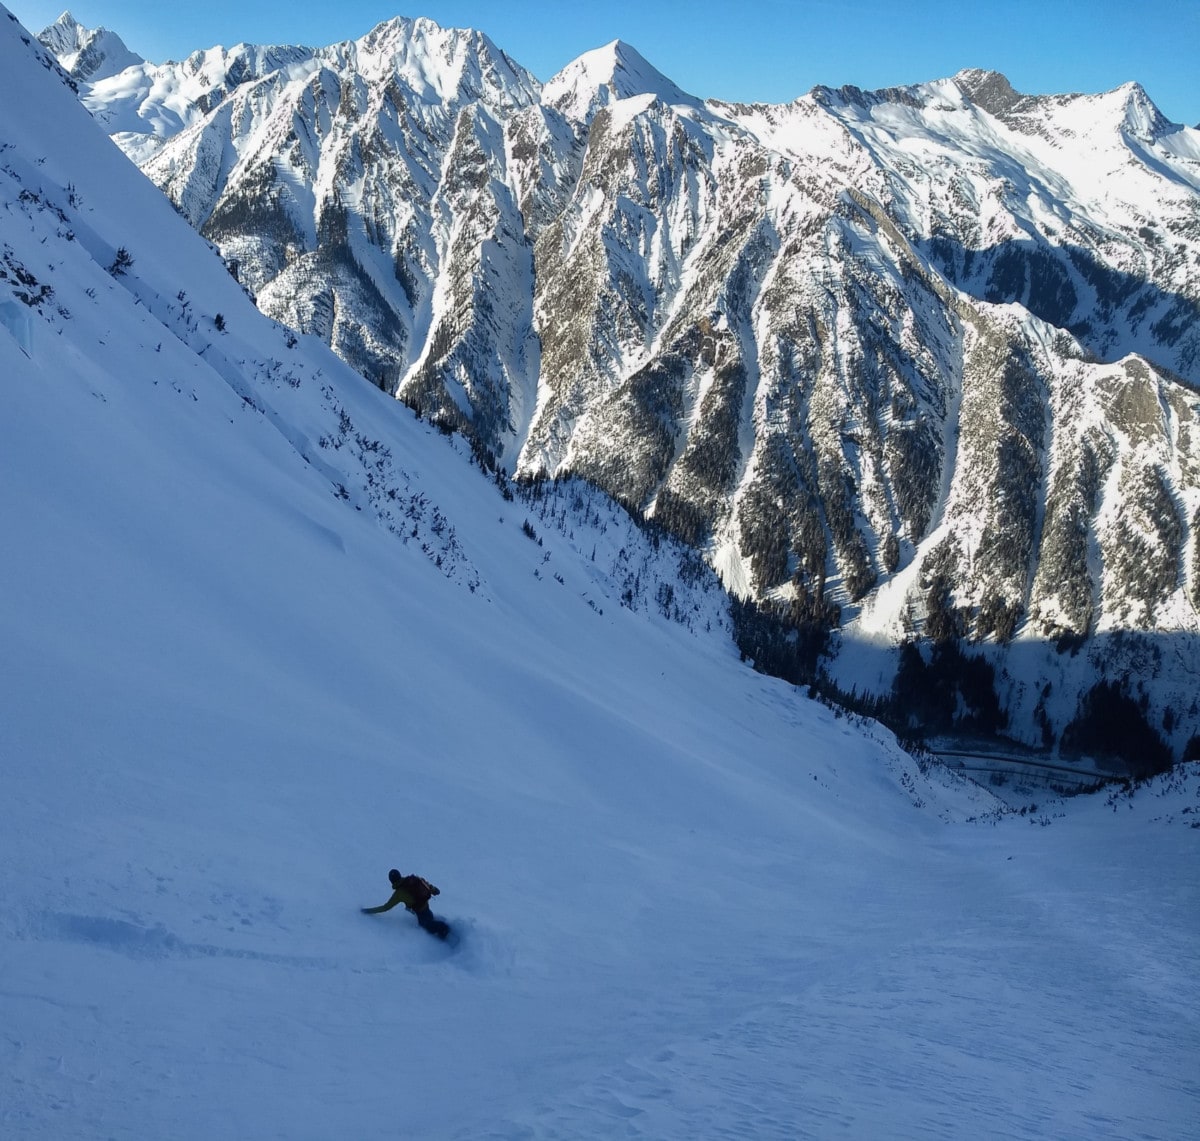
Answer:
[(917, 362)]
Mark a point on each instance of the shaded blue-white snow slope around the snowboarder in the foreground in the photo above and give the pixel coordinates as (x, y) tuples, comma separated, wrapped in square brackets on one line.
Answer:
[(266, 636)]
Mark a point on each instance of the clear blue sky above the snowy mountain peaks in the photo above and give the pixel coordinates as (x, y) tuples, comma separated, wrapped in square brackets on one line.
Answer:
[(770, 51)]
